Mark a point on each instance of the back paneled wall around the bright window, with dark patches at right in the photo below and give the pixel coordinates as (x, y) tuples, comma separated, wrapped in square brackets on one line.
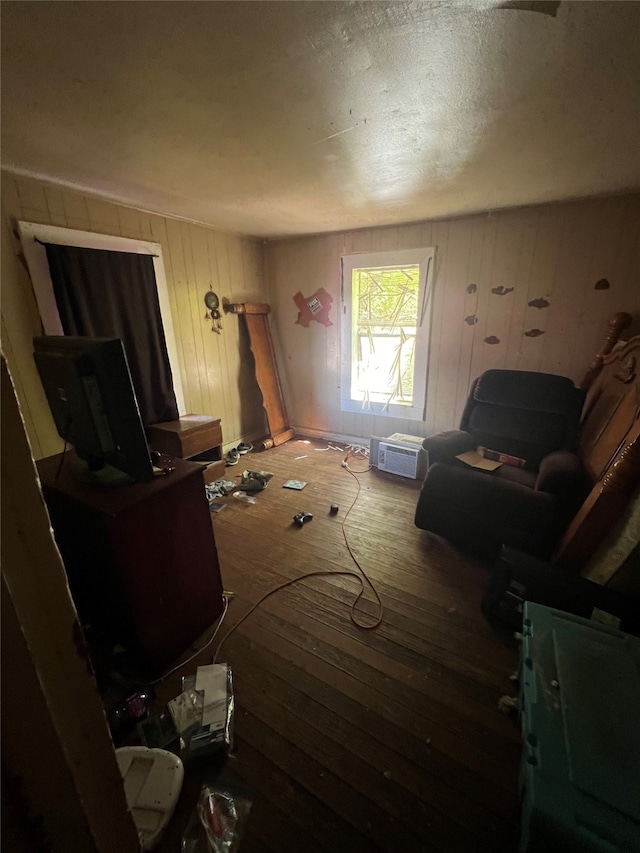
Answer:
[(527, 289)]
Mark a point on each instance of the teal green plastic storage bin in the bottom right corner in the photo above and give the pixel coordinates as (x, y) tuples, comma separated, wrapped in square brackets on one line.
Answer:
[(581, 745)]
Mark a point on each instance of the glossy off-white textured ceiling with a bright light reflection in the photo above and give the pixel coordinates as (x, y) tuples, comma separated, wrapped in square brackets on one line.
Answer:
[(277, 118)]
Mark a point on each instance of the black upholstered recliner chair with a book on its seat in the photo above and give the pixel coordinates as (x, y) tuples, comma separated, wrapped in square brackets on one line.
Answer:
[(533, 416)]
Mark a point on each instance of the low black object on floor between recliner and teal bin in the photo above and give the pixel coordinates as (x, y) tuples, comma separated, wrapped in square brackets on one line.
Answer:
[(518, 577)]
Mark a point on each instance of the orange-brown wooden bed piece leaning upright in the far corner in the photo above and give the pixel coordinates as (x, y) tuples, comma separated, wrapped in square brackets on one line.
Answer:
[(255, 315)]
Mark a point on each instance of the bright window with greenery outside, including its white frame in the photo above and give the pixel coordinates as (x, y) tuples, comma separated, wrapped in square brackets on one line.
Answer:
[(386, 305)]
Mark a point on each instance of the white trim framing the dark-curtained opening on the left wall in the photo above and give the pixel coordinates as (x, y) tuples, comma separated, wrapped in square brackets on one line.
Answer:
[(36, 258)]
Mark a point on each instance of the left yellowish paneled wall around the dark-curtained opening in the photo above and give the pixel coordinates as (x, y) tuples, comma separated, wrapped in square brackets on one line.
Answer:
[(216, 370)]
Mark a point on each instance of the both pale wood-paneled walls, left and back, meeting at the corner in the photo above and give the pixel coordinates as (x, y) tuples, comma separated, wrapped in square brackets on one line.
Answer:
[(528, 289)]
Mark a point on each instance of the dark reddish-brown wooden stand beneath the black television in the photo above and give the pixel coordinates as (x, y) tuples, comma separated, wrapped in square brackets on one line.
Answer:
[(141, 559)]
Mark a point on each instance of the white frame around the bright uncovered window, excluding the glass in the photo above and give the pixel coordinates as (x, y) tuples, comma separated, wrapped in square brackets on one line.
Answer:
[(425, 259)]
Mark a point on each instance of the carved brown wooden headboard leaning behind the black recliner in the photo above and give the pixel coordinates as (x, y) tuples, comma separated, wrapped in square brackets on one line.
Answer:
[(609, 449)]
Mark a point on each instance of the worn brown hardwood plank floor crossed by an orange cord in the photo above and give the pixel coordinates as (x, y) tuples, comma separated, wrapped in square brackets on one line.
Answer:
[(350, 739)]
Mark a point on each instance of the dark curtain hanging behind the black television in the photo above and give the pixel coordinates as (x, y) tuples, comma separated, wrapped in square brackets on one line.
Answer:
[(106, 294)]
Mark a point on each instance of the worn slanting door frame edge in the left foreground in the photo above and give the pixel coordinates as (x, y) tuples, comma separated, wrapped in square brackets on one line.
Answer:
[(64, 732)]
